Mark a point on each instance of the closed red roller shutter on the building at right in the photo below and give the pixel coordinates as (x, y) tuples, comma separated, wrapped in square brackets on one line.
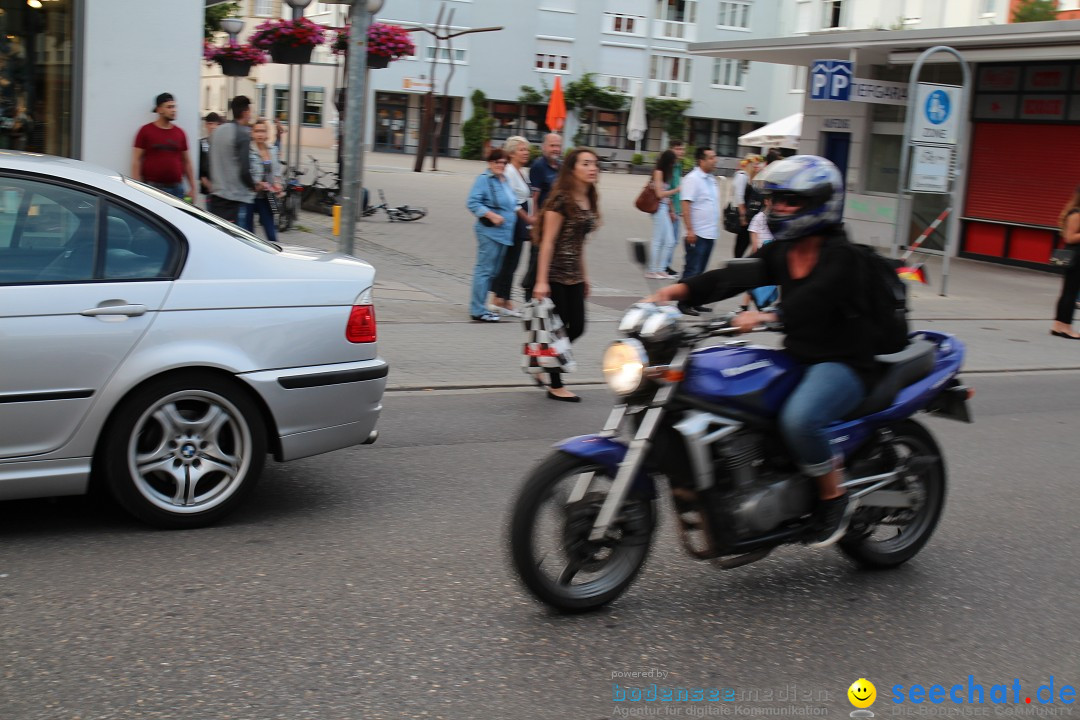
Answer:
[(1023, 173)]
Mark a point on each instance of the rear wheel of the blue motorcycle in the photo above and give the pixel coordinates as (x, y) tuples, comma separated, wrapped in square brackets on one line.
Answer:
[(875, 545)]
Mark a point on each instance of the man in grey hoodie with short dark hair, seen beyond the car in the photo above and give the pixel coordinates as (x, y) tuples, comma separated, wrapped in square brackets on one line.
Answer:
[(233, 188)]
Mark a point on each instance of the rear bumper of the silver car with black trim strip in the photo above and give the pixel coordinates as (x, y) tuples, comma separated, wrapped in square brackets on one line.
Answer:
[(322, 409)]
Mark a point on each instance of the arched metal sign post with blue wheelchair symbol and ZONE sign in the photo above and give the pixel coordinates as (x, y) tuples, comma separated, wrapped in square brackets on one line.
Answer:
[(935, 127)]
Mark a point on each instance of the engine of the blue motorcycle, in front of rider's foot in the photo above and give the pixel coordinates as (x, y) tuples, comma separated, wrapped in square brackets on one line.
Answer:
[(761, 496)]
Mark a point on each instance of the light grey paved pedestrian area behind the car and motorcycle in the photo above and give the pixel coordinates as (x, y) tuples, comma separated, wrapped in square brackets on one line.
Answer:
[(424, 270)]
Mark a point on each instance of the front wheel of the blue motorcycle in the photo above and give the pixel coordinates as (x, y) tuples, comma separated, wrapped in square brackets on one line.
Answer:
[(549, 536)]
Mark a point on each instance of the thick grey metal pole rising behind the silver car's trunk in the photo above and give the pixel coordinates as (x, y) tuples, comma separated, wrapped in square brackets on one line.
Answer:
[(353, 156)]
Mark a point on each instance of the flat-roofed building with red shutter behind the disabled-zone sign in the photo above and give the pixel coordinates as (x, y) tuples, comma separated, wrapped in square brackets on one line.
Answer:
[(1012, 172)]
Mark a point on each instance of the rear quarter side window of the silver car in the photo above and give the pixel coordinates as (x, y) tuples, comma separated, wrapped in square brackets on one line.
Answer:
[(134, 248)]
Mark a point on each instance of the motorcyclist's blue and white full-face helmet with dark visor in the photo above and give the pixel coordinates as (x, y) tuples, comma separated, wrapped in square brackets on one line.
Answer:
[(816, 183)]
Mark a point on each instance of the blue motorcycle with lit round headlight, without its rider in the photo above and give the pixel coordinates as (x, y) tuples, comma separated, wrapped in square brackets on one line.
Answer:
[(704, 418)]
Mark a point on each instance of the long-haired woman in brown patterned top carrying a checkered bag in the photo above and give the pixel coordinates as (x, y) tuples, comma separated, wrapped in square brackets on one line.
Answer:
[(571, 213)]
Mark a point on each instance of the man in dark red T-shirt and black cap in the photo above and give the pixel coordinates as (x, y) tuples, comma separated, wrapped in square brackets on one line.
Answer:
[(161, 157)]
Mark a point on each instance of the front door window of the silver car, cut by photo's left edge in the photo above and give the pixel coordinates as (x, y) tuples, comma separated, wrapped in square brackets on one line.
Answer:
[(47, 233)]
